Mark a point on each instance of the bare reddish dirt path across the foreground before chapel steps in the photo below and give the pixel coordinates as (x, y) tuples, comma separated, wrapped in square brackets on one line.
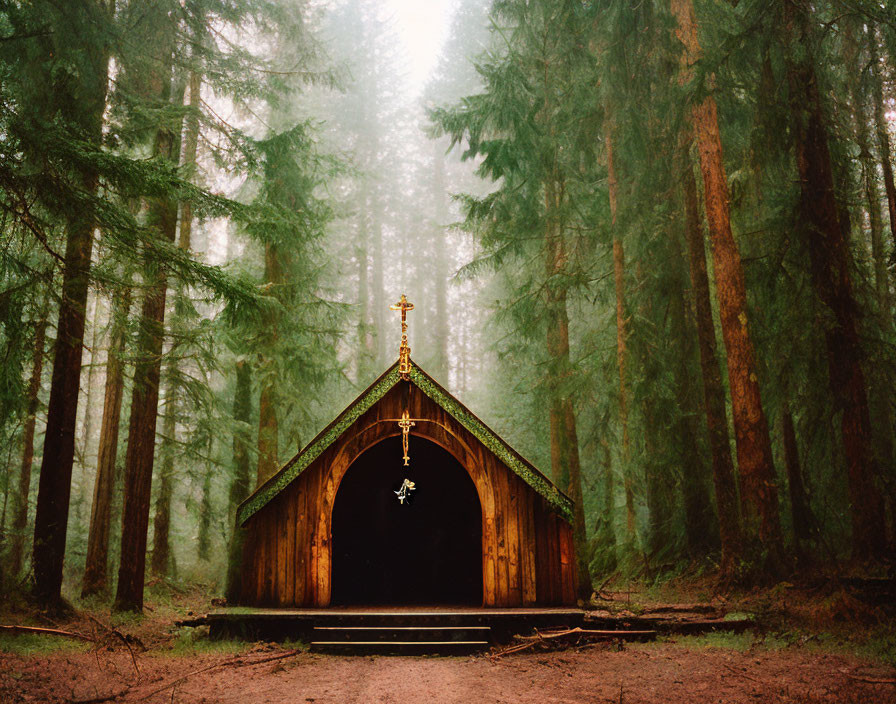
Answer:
[(644, 674)]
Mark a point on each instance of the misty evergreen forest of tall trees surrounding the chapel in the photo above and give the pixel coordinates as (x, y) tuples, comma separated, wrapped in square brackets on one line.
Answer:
[(651, 245)]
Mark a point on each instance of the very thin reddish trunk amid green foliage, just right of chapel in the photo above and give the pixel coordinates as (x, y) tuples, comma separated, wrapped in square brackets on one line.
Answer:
[(621, 338)]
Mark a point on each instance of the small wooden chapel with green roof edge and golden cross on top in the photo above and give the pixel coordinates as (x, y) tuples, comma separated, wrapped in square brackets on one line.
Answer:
[(407, 498)]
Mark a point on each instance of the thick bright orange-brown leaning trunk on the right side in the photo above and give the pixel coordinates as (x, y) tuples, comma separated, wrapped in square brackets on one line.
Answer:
[(759, 490)]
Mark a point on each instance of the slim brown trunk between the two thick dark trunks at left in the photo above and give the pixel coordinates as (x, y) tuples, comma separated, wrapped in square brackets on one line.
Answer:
[(95, 568)]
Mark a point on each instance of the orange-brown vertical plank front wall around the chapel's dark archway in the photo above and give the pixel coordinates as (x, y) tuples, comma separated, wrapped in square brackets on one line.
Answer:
[(527, 555)]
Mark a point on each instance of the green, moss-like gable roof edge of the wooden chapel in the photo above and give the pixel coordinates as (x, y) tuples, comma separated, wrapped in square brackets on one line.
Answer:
[(559, 501)]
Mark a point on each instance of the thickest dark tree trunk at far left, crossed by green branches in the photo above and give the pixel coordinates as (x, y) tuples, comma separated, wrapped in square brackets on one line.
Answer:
[(81, 104)]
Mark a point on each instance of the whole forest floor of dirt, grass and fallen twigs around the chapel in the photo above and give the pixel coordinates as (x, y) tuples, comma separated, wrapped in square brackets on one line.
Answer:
[(811, 645)]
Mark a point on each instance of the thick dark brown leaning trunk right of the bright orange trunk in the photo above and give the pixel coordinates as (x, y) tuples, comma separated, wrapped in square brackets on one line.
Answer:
[(830, 269)]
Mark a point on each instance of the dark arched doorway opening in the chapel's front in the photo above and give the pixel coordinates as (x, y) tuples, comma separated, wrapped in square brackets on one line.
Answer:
[(425, 551)]
